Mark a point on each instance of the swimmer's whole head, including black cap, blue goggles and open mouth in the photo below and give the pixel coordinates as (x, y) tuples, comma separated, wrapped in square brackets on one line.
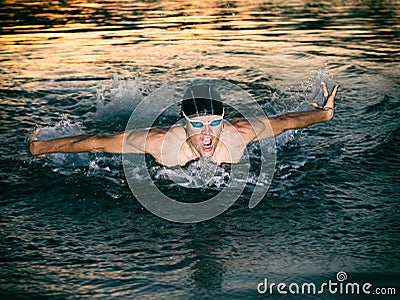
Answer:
[(203, 111)]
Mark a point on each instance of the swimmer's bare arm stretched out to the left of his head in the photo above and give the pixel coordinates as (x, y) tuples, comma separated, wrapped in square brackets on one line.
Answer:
[(136, 142)]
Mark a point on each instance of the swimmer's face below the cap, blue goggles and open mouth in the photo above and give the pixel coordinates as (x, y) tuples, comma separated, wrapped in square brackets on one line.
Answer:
[(204, 133)]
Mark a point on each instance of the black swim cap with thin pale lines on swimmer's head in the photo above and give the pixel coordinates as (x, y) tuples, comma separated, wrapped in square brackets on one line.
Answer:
[(202, 100)]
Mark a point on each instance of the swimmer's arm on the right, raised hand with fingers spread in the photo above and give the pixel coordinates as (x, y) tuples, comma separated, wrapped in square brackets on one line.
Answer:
[(269, 127)]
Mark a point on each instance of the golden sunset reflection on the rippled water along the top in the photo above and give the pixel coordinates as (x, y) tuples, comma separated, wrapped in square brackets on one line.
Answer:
[(72, 35)]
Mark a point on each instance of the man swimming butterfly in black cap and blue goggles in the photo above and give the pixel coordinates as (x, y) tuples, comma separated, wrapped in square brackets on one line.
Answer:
[(205, 134)]
